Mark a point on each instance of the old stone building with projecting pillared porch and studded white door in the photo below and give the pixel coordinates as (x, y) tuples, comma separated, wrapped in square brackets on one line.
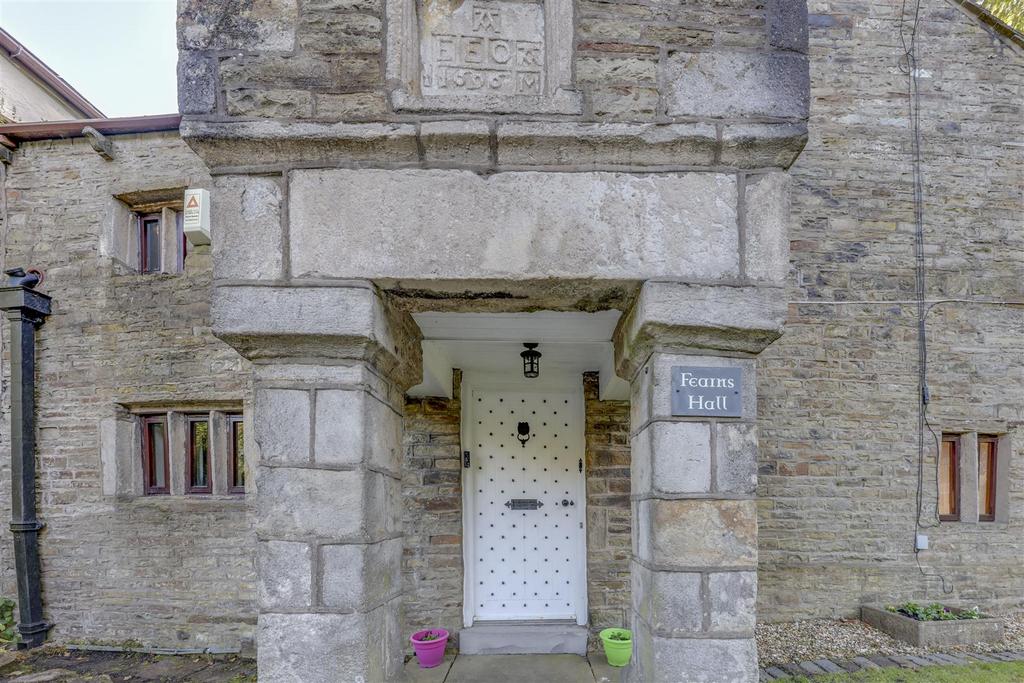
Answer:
[(318, 435)]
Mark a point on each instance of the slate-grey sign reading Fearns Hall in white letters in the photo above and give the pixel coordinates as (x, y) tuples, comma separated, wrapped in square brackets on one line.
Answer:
[(707, 392)]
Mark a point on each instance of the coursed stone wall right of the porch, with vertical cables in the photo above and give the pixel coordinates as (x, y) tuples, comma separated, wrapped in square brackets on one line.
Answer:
[(839, 432)]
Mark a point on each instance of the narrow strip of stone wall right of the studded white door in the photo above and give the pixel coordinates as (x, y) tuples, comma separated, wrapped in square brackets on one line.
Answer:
[(609, 514)]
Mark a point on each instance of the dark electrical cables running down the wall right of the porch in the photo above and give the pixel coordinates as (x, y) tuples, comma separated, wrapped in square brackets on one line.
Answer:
[(909, 40)]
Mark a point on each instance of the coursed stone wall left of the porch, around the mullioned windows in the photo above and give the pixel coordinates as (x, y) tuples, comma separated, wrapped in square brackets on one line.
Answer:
[(170, 571)]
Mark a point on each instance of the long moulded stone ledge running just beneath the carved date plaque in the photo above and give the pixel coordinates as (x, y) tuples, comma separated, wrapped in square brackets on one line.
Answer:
[(509, 145)]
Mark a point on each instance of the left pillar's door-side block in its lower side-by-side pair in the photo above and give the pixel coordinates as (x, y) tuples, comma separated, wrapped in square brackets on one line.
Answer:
[(361, 577)]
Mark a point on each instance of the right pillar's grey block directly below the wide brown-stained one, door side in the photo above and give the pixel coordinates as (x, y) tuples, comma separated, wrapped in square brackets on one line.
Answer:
[(670, 603)]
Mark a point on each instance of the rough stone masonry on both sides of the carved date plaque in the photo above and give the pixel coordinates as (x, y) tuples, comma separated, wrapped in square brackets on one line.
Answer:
[(322, 60)]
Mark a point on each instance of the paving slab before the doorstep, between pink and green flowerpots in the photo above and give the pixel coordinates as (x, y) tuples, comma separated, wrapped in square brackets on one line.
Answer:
[(521, 669)]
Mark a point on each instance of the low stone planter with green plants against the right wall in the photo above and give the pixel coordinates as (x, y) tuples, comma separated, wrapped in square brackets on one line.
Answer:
[(953, 633)]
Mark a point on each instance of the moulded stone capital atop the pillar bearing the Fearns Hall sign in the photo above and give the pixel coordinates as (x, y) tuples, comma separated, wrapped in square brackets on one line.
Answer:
[(698, 319)]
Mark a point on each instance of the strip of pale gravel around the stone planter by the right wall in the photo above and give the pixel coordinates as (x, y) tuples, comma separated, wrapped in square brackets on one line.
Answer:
[(800, 642)]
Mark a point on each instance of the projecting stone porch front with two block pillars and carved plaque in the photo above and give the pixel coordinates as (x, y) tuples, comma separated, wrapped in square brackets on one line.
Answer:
[(476, 173)]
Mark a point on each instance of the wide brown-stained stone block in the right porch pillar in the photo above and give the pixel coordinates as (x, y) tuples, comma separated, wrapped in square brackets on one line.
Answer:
[(698, 534)]
